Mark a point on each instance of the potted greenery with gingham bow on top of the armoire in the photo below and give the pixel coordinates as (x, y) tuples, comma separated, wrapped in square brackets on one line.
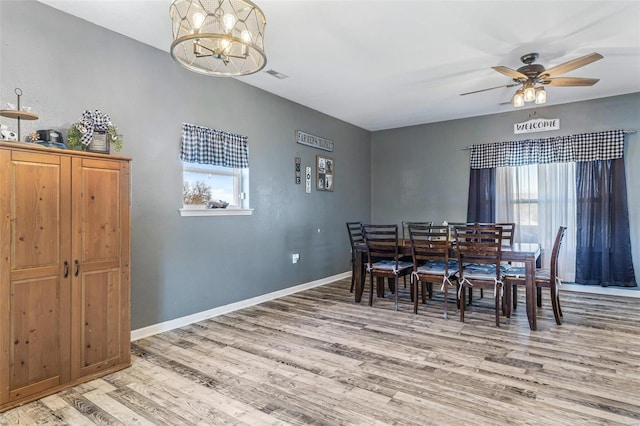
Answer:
[(94, 132)]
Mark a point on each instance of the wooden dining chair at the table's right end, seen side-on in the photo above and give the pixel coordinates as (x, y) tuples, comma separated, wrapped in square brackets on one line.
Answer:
[(545, 278)]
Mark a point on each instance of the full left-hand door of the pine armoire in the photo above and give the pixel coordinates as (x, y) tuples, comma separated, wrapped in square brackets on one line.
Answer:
[(35, 206)]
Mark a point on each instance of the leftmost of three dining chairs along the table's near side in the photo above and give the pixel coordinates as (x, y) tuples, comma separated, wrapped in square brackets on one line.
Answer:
[(383, 257)]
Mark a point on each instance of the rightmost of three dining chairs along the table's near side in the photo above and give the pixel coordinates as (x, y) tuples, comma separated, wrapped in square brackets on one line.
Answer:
[(479, 249)]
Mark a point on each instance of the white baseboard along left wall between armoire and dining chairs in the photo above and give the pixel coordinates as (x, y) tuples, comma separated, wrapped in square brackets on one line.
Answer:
[(141, 333)]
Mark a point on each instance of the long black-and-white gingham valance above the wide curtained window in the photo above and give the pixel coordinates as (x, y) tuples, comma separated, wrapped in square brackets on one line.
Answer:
[(606, 145)]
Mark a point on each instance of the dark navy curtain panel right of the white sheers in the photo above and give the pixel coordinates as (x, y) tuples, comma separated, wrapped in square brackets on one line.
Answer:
[(603, 249)]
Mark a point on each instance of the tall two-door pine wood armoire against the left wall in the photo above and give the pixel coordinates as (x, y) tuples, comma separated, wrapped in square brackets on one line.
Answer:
[(64, 269)]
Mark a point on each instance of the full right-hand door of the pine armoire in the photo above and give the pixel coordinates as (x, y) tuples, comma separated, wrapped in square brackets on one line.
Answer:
[(98, 323)]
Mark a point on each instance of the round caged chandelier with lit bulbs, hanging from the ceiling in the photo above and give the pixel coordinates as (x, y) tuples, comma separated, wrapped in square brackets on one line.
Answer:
[(218, 37)]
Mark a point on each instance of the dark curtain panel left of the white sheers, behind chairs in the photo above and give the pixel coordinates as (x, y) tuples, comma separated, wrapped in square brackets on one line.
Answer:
[(482, 195)]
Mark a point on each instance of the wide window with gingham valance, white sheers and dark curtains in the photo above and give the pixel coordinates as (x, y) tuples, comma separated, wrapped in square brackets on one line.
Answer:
[(576, 181)]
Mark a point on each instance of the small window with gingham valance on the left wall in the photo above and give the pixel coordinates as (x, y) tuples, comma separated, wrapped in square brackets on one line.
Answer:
[(215, 170)]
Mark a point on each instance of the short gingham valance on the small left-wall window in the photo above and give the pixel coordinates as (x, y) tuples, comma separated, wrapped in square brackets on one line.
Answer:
[(209, 146)]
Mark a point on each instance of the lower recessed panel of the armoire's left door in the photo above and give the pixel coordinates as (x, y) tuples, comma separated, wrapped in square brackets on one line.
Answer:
[(35, 333)]
